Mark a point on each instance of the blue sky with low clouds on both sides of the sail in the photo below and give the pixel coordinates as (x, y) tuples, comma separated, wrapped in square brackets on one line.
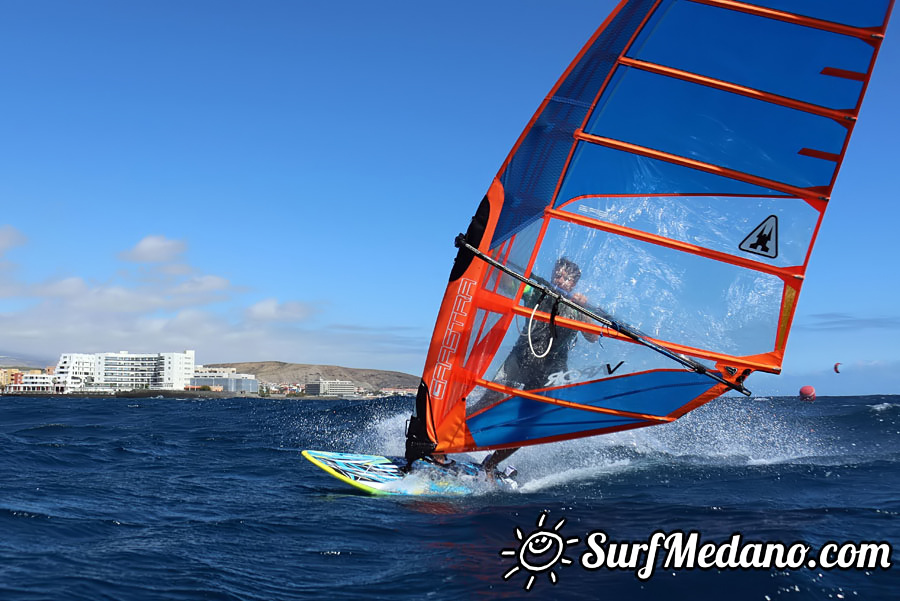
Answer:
[(283, 180)]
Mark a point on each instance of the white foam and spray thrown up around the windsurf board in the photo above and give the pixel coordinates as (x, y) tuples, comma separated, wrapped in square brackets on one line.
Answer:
[(739, 432)]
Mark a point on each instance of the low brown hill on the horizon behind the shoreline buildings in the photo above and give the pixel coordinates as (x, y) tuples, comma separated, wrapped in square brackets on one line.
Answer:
[(279, 372)]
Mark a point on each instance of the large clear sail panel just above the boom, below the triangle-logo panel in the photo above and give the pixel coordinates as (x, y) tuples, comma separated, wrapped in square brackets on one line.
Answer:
[(670, 295)]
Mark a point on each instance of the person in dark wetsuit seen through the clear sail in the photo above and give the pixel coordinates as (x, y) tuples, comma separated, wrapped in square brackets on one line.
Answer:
[(542, 350)]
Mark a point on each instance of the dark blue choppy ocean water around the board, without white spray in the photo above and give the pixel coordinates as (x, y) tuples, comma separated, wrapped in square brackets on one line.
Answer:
[(210, 499)]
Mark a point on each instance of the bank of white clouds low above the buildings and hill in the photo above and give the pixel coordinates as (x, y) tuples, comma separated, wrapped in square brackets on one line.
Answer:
[(170, 306)]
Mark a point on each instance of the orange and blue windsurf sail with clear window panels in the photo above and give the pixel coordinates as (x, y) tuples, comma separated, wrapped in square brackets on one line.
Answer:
[(642, 248)]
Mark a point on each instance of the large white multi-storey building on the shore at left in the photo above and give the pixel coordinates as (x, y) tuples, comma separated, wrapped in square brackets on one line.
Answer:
[(98, 372)]
